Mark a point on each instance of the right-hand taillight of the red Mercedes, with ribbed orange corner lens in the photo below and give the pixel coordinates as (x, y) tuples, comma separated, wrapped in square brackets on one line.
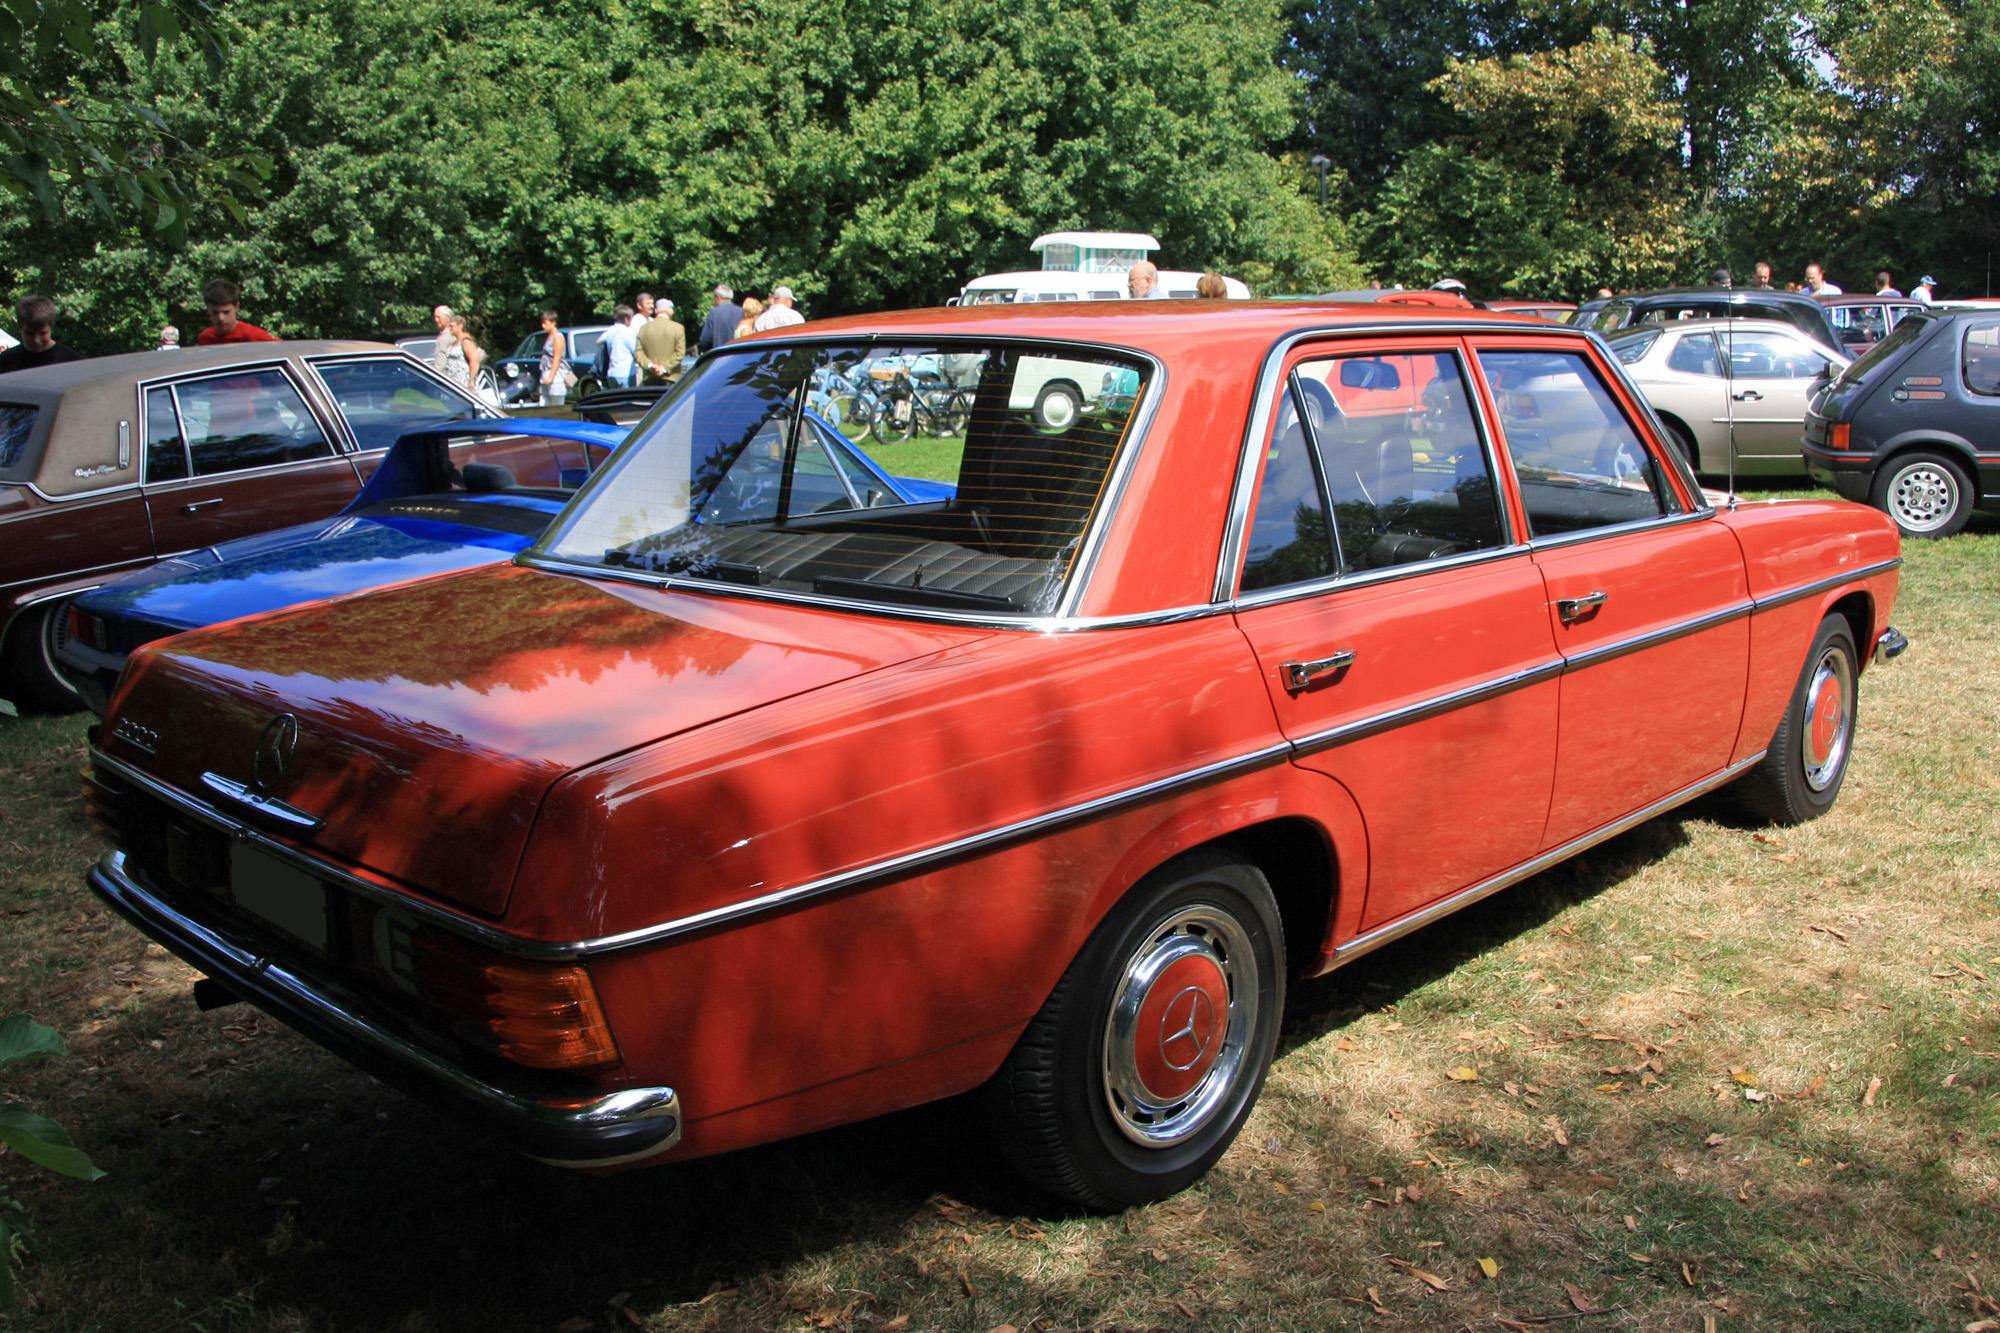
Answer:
[(545, 1016)]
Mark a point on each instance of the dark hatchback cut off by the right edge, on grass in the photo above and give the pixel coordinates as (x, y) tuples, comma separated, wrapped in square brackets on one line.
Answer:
[(1915, 425)]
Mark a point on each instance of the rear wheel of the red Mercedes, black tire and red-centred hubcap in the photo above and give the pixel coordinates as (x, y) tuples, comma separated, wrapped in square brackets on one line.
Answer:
[(1093, 1104)]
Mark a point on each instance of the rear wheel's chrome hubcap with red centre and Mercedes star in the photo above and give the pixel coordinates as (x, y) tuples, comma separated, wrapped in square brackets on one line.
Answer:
[(1175, 1038)]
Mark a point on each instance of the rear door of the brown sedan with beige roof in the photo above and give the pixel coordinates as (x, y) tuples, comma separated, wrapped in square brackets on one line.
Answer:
[(237, 453)]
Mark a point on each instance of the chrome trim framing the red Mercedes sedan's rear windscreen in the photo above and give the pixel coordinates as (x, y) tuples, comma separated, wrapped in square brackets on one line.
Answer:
[(1081, 567)]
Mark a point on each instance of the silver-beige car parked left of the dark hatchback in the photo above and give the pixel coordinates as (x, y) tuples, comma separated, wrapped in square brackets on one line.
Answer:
[(1713, 381)]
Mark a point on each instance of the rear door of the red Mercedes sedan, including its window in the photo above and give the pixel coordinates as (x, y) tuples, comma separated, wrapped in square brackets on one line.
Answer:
[(1399, 625)]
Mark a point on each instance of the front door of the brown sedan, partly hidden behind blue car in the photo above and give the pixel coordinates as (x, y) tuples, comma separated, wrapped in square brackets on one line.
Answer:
[(381, 397)]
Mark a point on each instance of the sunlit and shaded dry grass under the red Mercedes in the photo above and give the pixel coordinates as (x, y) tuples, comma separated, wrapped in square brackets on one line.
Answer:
[(1703, 1078)]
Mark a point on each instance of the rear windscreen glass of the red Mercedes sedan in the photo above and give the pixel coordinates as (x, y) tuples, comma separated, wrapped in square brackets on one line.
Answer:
[(957, 477)]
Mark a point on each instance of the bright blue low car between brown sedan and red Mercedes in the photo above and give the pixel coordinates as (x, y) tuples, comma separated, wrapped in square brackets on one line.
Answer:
[(419, 515)]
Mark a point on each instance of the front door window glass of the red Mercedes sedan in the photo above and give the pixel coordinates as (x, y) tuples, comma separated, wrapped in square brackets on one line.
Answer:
[(1579, 459)]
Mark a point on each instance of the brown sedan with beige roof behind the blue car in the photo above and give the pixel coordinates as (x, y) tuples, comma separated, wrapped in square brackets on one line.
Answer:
[(121, 461)]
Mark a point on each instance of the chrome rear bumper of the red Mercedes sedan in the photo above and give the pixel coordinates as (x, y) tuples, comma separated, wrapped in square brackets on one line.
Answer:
[(557, 1128)]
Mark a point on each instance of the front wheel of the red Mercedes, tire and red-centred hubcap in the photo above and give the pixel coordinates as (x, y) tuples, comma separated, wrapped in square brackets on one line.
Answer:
[(1807, 762)]
